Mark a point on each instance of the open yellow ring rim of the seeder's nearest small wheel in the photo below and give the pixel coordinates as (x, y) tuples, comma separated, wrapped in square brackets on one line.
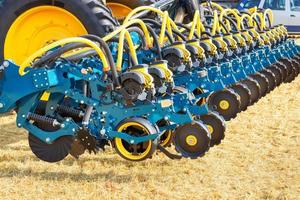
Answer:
[(119, 143)]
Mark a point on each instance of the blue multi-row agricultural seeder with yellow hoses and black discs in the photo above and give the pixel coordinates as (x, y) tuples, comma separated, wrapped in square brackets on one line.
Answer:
[(148, 82)]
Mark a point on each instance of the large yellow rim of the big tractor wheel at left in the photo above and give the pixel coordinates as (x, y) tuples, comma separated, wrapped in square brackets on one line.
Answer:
[(38, 27)]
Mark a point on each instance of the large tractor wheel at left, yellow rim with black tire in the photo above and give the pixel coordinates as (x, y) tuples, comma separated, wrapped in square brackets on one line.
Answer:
[(26, 26)]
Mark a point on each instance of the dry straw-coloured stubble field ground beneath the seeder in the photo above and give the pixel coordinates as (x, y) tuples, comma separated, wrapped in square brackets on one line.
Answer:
[(259, 159)]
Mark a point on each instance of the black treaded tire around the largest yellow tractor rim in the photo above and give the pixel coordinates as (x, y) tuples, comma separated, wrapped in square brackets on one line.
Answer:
[(93, 14)]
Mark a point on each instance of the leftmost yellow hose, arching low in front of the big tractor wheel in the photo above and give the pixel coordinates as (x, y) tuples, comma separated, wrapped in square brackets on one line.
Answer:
[(43, 50)]
